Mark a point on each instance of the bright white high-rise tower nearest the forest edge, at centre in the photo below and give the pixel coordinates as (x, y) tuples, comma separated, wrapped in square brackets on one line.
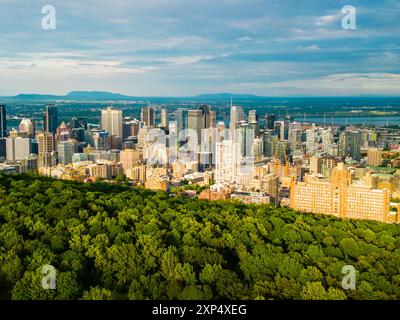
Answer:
[(227, 161)]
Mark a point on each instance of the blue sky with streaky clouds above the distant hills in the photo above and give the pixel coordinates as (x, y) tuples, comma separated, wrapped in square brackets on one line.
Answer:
[(190, 47)]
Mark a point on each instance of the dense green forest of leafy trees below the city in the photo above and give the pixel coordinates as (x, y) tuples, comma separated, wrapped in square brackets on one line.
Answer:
[(116, 242)]
